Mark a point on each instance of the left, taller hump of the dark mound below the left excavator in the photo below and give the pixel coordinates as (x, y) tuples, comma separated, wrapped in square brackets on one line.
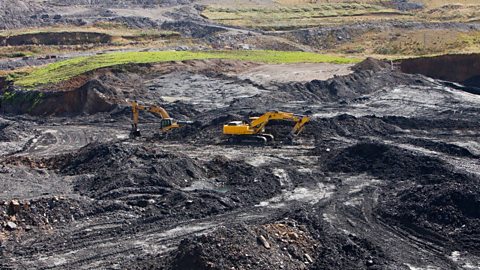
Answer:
[(121, 166)]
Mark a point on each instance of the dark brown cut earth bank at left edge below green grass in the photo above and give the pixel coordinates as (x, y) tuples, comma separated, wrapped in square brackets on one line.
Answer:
[(88, 99)]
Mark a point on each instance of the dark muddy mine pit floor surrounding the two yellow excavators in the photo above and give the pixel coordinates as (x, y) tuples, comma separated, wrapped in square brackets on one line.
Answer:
[(385, 176)]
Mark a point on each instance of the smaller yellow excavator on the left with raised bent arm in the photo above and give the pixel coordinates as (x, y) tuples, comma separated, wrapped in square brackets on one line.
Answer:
[(166, 124)]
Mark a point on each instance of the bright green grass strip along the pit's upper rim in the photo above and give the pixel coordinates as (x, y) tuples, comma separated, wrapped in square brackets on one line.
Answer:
[(63, 70)]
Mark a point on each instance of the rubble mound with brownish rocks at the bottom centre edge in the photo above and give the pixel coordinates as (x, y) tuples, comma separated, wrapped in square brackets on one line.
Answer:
[(269, 246)]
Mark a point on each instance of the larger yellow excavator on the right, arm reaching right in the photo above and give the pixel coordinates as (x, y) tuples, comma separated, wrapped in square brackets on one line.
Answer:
[(254, 132)]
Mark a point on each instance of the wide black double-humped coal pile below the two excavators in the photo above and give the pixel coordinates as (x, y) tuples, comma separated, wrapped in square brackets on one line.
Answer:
[(164, 182)]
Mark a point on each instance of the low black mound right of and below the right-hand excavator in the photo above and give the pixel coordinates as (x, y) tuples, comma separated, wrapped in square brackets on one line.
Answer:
[(391, 163)]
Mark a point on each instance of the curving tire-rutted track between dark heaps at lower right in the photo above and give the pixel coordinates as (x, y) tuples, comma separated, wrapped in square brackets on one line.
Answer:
[(351, 211)]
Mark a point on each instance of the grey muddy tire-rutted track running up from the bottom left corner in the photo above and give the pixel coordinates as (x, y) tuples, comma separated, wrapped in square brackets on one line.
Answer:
[(94, 250)]
